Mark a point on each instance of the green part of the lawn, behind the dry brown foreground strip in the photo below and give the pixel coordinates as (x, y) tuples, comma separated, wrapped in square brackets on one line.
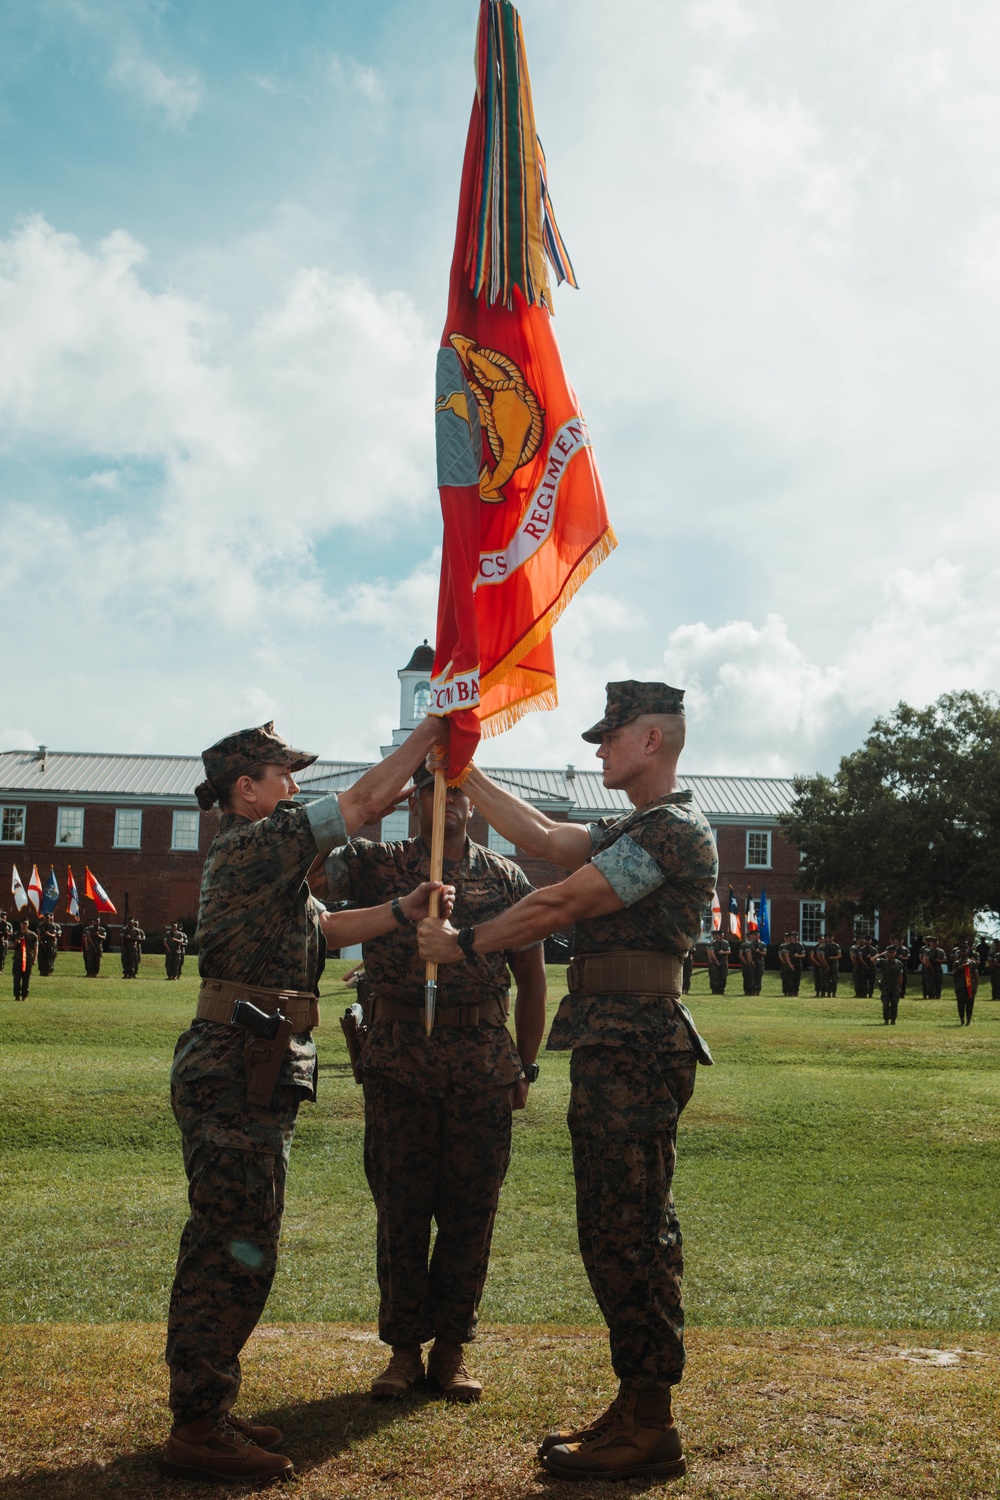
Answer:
[(831, 1171)]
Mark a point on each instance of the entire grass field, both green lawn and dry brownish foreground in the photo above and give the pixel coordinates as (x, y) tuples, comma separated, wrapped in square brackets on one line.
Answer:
[(837, 1187)]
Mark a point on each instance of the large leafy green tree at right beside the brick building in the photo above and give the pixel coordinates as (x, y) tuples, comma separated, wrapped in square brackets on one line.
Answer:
[(911, 824)]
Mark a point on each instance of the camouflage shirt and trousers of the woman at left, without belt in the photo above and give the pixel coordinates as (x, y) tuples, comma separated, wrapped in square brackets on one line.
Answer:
[(257, 925)]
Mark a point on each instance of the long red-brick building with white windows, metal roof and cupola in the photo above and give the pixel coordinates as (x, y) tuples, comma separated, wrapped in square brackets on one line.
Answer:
[(136, 823)]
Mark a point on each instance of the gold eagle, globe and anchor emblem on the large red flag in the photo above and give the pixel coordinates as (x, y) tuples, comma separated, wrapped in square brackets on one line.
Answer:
[(484, 389)]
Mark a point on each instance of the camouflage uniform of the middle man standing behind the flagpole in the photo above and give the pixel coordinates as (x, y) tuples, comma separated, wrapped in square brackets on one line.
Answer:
[(437, 1109)]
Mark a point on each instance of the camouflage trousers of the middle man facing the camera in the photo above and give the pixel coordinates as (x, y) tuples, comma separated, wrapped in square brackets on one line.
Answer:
[(445, 1160)]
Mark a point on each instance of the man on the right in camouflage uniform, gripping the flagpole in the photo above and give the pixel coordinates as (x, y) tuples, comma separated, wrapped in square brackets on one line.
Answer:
[(636, 896)]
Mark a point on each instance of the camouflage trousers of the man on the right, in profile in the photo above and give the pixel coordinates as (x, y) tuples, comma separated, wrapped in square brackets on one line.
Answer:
[(624, 1108)]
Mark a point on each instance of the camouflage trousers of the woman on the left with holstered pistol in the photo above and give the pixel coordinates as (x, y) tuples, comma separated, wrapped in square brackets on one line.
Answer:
[(236, 1159)]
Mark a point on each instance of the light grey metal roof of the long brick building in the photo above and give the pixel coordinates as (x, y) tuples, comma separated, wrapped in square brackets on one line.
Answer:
[(64, 773)]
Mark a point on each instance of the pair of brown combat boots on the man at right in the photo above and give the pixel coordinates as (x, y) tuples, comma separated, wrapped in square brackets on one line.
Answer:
[(639, 1441)]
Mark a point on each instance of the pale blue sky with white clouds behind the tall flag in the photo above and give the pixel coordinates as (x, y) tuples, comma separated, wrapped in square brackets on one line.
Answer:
[(224, 245)]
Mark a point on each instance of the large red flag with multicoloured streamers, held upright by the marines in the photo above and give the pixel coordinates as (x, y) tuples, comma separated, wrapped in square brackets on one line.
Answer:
[(524, 511)]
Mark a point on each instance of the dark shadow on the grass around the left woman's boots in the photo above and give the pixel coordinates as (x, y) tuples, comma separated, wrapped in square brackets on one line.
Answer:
[(316, 1432)]
